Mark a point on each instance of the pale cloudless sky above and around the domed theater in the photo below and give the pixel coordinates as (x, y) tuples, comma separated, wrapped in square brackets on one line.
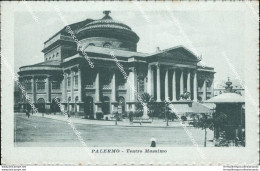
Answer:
[(208, 34)]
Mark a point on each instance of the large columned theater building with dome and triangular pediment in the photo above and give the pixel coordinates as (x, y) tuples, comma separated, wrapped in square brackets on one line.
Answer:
[(111, 47)]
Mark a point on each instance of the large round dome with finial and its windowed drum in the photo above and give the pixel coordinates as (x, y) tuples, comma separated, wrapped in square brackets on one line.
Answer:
[(109, 33)]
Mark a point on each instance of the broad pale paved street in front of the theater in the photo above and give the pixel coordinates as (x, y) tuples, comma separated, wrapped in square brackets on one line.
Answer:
[(41, 131)]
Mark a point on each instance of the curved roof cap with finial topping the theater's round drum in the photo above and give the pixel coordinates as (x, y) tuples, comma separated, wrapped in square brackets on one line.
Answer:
[(107, 27)]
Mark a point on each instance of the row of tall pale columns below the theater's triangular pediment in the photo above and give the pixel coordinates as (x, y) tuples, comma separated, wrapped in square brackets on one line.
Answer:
[(175, 79)]
